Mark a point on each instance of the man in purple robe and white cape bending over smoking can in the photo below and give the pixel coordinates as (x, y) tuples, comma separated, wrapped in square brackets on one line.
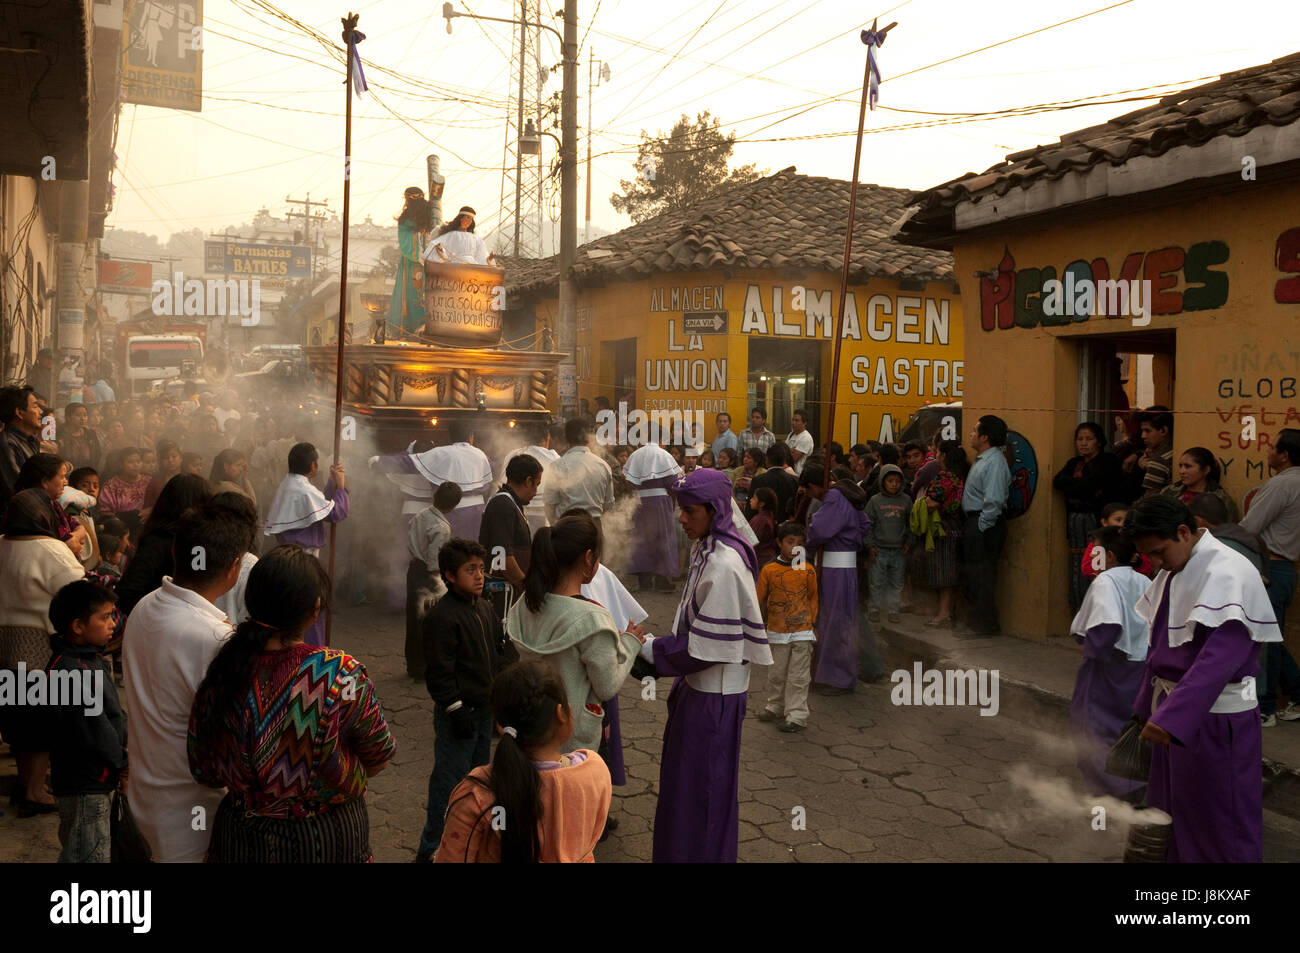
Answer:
[(1208, 613)]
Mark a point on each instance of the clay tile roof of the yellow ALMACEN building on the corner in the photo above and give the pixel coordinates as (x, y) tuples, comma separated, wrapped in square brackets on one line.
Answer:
[(779, 222)]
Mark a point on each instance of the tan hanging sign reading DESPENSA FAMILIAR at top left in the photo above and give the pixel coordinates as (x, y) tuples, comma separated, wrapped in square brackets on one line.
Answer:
[(163, 55)]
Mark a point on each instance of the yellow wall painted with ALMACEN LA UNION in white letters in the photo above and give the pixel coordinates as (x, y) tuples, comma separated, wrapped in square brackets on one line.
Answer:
[(675, 370)]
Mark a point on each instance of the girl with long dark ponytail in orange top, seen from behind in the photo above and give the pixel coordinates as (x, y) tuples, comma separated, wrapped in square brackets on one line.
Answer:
[(536, 803)]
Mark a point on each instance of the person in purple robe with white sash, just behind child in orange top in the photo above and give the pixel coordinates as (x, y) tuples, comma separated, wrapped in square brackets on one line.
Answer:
[(838, 529)]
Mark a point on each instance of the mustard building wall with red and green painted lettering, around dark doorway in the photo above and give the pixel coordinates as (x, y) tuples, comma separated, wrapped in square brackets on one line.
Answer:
[(1227, 358)]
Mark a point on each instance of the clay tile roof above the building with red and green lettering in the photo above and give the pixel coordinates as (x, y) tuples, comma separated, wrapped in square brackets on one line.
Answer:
[(1232, 106)]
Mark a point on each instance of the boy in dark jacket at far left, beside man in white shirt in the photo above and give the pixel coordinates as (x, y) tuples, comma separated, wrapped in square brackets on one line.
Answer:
[(88, 726)]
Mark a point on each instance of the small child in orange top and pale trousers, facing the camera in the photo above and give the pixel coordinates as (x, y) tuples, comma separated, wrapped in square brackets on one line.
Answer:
[(788, 596)]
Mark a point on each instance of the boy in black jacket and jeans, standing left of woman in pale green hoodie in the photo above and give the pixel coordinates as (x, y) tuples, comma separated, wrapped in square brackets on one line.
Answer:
[(465, 647)]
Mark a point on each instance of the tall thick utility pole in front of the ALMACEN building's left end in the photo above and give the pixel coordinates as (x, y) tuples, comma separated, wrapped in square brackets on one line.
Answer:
[(569, 215)]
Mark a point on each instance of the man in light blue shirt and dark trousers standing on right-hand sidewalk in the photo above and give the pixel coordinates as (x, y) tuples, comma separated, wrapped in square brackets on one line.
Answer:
[(985, 531)]
